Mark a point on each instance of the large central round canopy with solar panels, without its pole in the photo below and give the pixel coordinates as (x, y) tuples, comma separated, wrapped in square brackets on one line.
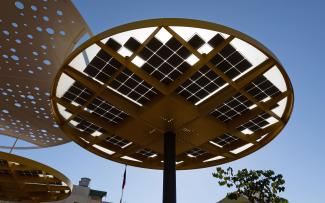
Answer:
[(222, 93)]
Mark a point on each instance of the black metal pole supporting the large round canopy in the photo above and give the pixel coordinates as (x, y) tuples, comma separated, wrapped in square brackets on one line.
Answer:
[(169, 190)]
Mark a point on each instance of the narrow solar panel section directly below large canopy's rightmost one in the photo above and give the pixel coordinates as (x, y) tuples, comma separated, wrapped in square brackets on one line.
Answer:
[(256, 123)]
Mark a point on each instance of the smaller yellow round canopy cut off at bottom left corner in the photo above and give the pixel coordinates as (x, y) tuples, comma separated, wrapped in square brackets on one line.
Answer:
[(23, 179)]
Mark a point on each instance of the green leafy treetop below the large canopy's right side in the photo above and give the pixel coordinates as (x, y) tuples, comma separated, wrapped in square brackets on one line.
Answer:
[(257, 185)]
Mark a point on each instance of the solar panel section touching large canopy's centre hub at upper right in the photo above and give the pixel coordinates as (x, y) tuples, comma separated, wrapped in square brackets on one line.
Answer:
[(200, 85)]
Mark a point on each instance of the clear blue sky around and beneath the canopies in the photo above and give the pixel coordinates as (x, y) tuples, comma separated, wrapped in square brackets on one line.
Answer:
[(294, 31)]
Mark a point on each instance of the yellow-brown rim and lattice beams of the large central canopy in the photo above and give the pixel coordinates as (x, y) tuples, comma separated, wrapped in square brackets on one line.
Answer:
[(193, 125)]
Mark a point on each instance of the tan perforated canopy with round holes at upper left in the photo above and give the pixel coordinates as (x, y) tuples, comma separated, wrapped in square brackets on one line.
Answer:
[(36, 37)]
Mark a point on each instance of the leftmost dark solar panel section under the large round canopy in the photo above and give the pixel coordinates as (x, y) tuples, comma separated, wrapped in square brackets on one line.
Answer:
[(77, 94)]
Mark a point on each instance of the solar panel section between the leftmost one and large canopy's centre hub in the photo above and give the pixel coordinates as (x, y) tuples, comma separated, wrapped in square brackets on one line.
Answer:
[(106, 110)]
